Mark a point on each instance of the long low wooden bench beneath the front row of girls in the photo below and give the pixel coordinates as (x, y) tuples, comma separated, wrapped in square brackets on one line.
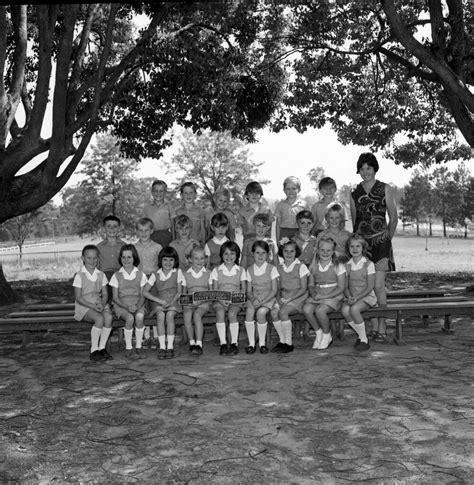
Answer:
[(54, 317)]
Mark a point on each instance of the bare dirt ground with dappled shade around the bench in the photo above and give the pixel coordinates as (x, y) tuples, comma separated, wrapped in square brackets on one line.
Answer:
[(396, 415)]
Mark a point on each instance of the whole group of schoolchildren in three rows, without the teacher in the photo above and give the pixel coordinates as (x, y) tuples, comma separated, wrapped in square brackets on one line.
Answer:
[(316, 267)]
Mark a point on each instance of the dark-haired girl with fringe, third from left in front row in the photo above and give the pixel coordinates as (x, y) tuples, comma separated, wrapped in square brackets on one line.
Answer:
[(163, 290)]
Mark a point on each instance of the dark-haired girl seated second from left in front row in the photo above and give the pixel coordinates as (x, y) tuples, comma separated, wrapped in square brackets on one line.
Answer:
[(129, 303)]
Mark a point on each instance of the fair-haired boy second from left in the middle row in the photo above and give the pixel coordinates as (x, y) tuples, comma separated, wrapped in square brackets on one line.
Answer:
[(148, 251)]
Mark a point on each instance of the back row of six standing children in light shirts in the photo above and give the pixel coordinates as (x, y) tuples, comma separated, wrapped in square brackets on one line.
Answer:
[(163, 213)]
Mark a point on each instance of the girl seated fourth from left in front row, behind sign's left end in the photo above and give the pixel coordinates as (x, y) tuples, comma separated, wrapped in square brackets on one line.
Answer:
[(196, 279)]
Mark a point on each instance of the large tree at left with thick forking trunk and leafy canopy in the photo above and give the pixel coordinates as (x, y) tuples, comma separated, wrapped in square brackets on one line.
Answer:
[(195, 63)]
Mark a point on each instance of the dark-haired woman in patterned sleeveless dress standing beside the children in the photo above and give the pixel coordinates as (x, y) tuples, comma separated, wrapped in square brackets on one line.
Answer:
[(370, 202)]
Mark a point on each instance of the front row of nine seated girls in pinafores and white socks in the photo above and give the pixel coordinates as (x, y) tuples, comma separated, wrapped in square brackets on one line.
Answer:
[(284, 282)]
